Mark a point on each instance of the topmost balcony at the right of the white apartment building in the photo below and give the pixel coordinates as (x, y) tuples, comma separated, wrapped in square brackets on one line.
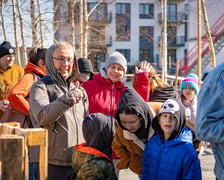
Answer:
[(174, 18)]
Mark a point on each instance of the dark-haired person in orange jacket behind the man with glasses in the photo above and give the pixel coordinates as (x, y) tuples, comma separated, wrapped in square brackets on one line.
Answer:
[(35, 69)]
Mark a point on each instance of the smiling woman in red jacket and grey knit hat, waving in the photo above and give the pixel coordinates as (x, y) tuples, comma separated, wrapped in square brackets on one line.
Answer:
[(106, 87)]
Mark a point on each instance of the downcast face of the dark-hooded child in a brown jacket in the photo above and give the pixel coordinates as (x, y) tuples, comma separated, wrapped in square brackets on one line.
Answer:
[(130, 121)]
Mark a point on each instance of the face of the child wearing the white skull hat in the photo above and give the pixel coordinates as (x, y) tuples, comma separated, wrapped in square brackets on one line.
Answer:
[(167, 123)]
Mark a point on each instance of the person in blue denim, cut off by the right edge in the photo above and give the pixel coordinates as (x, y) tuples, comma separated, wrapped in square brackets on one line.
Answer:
[(210, 116)]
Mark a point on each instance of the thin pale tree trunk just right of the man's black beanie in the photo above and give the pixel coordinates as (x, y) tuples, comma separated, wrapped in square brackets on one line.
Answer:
[(15, 34)]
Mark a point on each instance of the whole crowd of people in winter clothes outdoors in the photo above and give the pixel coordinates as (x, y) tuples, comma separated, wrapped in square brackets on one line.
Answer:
[(98, 126)]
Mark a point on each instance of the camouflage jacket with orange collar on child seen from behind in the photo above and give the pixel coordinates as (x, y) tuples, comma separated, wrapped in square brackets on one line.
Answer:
[(90, 163)]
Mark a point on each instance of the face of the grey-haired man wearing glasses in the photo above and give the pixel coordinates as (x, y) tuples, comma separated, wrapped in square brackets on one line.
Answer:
[(63, 61)]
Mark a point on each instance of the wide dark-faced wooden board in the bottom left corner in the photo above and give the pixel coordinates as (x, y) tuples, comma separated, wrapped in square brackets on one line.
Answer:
[(12, 157)]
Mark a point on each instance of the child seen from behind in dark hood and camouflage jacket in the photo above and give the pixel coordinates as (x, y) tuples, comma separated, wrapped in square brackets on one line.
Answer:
[(92, 160)]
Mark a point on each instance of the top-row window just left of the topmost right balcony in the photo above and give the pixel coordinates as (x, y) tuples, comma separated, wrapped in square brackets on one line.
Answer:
[(146, 10)]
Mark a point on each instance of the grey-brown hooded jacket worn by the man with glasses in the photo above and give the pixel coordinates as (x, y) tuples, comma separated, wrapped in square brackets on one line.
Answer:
[(62, 117)]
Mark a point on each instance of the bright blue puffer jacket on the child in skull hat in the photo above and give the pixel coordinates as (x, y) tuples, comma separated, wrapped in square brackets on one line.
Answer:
[(174, 159)]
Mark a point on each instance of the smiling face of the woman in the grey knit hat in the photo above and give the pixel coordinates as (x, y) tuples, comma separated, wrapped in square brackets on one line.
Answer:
[(115, 72)]
